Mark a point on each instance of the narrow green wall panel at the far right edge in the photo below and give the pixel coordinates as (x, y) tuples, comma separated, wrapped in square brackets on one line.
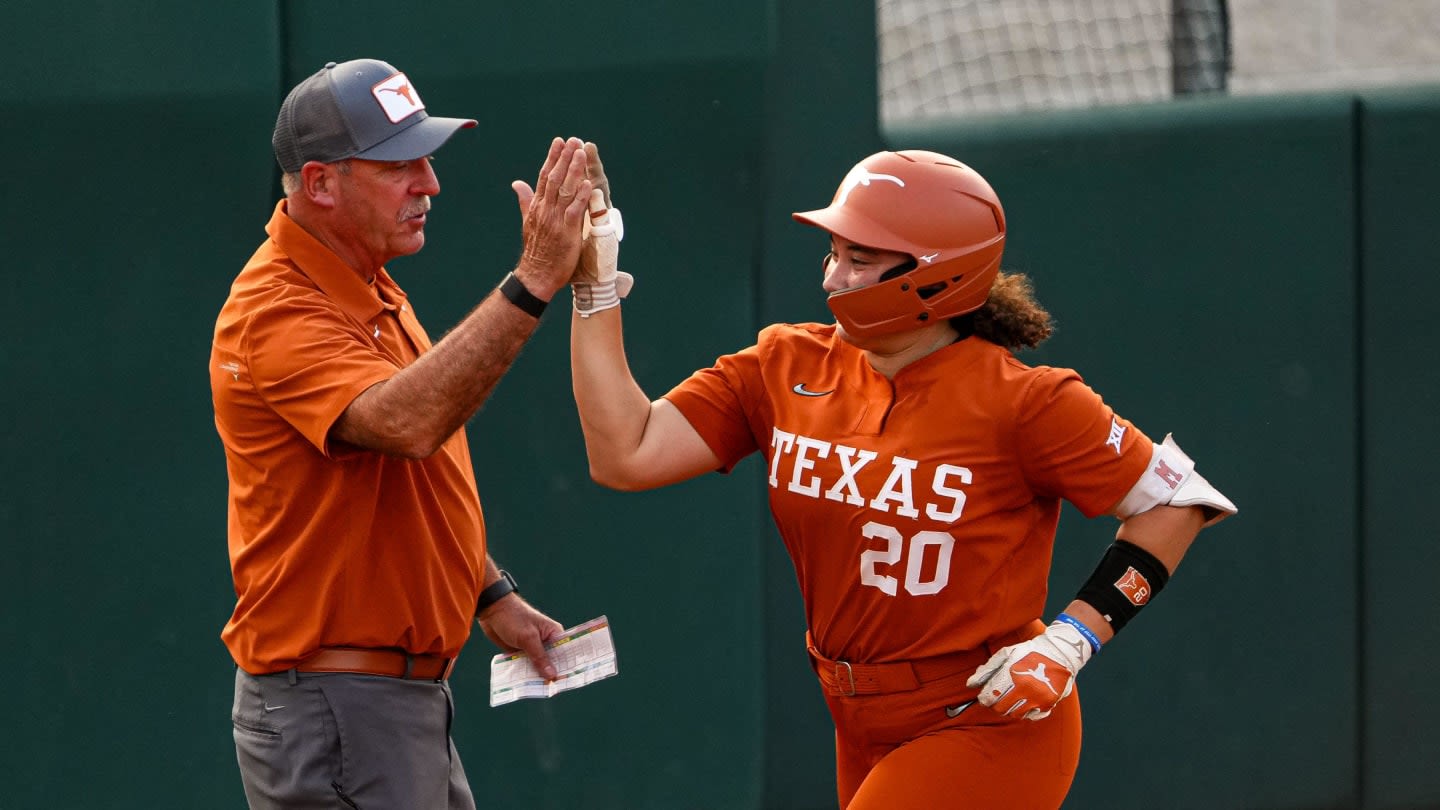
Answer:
[(1402, 399)]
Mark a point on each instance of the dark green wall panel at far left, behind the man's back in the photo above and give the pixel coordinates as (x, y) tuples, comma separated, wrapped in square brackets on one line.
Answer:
[(133, 197)]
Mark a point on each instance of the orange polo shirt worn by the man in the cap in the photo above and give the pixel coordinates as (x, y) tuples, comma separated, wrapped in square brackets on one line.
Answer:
[(333, 546)]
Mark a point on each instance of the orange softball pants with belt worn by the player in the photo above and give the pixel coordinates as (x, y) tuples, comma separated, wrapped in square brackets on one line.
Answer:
[(902, 750)]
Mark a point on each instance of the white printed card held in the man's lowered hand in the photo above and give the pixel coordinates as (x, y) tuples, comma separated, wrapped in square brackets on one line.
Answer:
[(584, 655)]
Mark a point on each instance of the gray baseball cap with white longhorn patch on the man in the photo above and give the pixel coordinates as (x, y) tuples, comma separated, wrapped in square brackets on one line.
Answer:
[(361, 109)]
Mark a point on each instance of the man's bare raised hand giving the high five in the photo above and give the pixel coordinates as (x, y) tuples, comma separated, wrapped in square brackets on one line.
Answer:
[(554, 215)]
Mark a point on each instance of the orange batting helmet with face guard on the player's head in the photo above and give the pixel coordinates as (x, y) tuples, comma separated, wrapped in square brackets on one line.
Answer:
[(927, 205)]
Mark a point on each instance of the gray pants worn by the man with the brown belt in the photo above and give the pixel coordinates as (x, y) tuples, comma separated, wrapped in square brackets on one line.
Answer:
[(338, 742)]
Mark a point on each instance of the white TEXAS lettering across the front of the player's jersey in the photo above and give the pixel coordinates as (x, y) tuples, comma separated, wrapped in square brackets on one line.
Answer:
[(793, 466)]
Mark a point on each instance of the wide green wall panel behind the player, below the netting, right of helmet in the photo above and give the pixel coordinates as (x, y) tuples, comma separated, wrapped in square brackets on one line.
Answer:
[(1200, 263)]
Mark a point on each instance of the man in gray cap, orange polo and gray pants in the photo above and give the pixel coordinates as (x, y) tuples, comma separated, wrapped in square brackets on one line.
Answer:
[(356, 535)]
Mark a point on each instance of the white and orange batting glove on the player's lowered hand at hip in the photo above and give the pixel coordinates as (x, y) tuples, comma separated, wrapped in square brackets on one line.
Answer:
[(1029, 680)]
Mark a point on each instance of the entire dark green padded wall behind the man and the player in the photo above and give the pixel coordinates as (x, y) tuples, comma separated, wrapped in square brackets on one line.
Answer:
[(1255, 276)]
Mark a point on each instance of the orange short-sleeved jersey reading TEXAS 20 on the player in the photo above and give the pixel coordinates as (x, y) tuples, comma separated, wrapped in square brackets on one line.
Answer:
[(921, 512)]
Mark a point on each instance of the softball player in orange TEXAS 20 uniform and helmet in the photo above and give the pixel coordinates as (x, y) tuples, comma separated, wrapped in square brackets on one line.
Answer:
[(915, 472)]
